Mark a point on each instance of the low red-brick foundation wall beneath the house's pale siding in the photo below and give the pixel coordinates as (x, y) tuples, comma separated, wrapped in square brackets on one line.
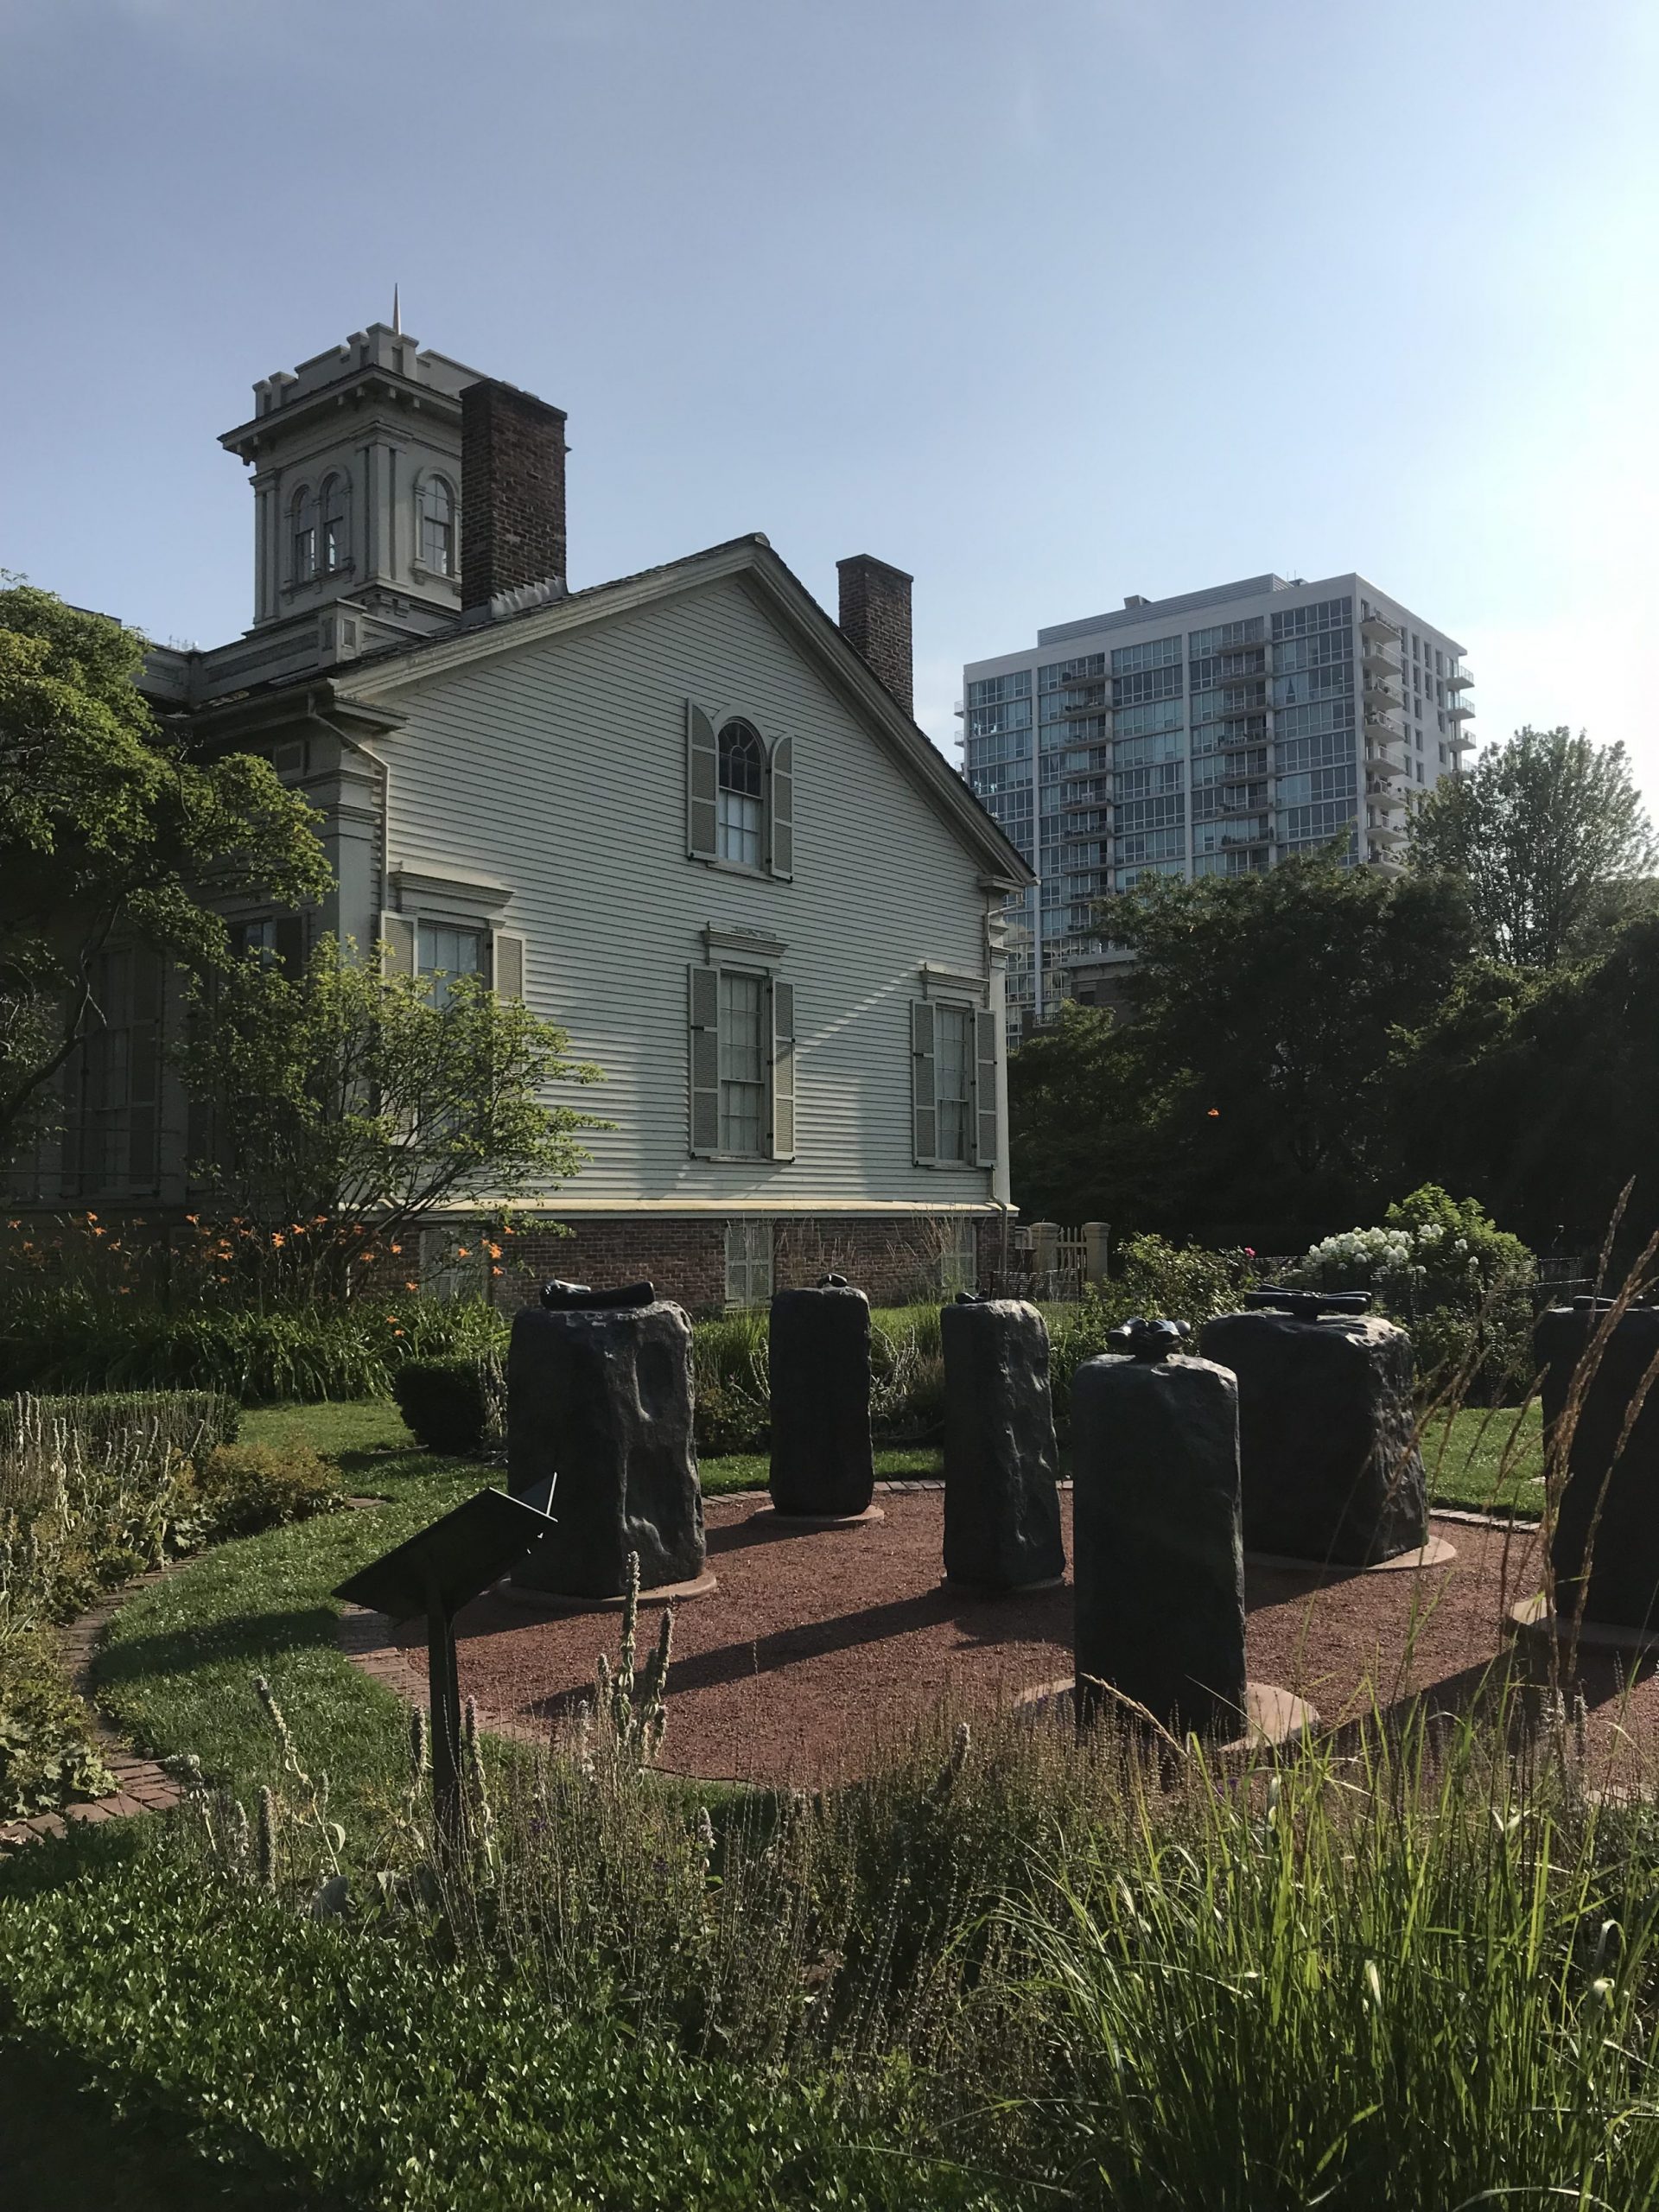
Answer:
[(895, 1260)]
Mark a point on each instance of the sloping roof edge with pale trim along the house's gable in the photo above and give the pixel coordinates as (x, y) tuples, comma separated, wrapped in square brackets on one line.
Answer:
[(375, 680)]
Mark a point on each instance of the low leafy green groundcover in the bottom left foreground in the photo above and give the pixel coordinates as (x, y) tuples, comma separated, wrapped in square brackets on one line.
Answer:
[(388, 2072)]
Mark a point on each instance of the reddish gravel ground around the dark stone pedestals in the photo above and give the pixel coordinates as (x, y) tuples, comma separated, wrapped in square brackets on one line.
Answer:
[(822, 1642)]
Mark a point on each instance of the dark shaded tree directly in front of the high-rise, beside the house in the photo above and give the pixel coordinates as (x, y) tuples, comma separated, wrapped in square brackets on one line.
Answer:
[(1246, 1094)]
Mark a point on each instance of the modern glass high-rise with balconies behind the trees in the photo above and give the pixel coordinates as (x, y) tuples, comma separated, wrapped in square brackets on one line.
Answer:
[(1204, 735)]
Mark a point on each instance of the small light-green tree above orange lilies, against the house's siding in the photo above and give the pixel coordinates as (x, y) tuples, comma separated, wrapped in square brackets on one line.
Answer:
[(351, 1105)]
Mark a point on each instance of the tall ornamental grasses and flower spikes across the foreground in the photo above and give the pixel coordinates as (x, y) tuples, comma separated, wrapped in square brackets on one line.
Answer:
[(1408, 1968)]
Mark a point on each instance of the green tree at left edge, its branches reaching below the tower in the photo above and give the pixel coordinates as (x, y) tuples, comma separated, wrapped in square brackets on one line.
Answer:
[(109, 828)]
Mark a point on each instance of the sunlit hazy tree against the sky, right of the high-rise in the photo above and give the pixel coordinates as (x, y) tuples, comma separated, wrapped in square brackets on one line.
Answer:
[(1550, 837)]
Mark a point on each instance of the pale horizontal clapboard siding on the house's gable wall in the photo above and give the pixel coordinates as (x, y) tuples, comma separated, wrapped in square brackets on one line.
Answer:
[(561, 769)]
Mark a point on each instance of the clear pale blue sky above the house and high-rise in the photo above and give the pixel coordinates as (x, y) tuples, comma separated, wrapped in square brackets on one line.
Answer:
[(1041, 300)]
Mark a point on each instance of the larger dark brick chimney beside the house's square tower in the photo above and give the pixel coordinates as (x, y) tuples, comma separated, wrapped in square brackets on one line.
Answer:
[(512, 492)]
